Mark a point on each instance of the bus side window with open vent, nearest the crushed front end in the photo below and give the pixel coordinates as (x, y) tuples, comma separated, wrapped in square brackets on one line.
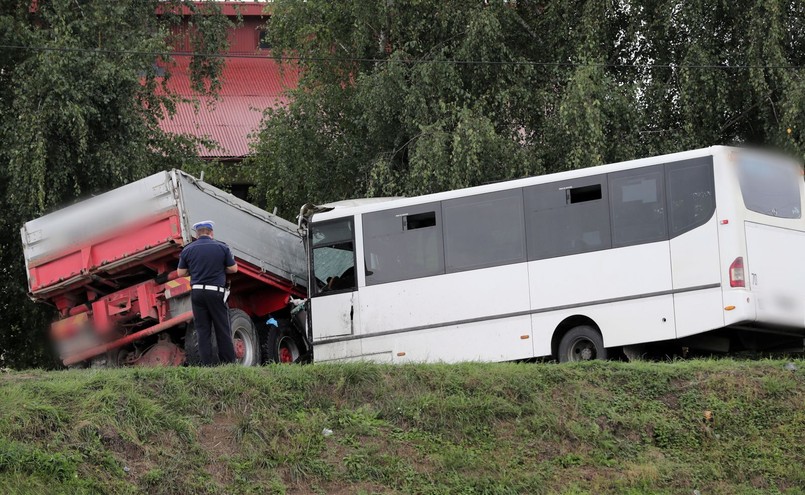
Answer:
[(403, 243)]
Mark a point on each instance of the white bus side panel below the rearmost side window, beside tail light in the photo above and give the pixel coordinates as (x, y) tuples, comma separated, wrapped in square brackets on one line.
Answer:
[(695, 263)]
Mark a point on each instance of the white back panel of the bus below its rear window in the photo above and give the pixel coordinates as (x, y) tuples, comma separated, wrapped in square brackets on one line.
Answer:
[(775, 273)]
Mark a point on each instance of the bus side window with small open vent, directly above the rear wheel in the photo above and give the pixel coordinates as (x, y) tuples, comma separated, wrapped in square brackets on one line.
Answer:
[(568, 217)]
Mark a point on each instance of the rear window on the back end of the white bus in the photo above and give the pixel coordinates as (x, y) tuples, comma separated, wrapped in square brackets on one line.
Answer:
[(770, 187)]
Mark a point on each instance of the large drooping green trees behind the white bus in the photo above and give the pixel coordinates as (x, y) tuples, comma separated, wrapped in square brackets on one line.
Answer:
[(410, 97)]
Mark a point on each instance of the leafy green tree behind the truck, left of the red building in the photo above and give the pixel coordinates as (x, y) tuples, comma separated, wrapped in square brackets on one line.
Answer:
[(81, 97)]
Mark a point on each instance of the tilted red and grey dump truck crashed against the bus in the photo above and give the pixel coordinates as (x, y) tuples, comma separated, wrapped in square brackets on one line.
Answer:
[(108, 266)]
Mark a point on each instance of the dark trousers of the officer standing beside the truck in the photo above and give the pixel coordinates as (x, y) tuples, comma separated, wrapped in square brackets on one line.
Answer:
[(210, 311)]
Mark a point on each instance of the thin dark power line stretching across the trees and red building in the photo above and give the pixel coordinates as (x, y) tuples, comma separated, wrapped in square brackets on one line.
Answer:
[(287, 58)]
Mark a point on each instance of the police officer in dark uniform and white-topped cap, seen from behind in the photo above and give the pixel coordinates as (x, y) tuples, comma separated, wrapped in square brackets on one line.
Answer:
[(208, 261)]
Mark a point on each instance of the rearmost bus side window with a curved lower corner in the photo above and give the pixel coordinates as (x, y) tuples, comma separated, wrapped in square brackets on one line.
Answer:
[(691, 194)]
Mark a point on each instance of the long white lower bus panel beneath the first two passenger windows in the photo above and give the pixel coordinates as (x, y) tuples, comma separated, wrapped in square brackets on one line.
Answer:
[(462, 301)]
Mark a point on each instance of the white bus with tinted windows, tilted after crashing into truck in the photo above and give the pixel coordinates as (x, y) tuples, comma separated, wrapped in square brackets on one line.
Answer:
[(703, 249)]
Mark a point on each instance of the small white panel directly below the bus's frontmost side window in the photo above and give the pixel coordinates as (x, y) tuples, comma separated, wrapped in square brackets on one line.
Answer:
[(334, 315)]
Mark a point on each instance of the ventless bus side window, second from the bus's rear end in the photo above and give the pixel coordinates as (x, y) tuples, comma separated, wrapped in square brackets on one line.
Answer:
[(637, 206)]
